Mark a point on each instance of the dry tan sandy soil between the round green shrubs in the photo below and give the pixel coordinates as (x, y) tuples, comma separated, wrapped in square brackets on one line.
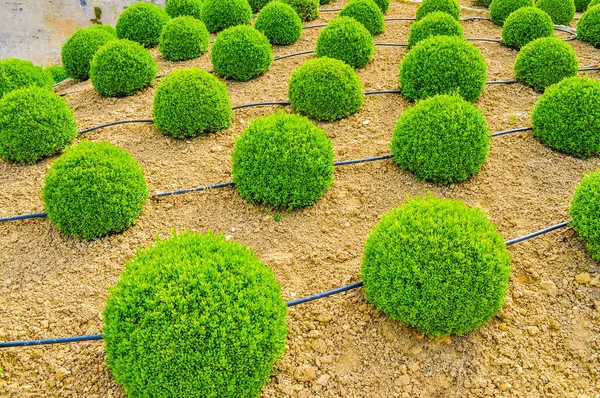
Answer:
[(544, 342)]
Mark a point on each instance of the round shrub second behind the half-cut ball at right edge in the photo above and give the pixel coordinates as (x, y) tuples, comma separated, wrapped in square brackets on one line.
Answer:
[(545, 62)]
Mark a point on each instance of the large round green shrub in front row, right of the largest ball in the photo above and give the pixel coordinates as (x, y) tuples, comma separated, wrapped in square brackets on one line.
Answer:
[(436, 265)]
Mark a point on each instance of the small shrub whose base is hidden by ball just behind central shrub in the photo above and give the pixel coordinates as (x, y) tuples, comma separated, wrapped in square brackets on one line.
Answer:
[(346, 39)]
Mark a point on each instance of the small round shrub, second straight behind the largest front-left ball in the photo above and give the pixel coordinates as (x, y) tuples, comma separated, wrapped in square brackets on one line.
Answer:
[(183, 38)]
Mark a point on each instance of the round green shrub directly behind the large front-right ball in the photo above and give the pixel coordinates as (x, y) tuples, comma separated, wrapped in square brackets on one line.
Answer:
[(443, 139)]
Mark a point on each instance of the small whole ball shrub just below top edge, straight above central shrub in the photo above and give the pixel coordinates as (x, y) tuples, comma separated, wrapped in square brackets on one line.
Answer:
[(280, 23)]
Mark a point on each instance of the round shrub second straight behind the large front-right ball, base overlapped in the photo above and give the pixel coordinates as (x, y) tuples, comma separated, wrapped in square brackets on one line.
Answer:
[(443, 65)]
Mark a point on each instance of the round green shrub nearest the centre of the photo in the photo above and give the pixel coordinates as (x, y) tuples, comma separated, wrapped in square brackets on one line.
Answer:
[(282, 160)]
